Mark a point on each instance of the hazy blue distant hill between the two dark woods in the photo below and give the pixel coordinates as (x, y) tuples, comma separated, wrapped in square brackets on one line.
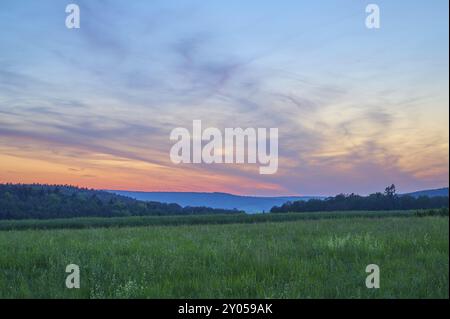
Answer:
[(249, 204)]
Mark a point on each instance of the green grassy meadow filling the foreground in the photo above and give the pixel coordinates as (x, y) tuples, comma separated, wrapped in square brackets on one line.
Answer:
[(298, 259)]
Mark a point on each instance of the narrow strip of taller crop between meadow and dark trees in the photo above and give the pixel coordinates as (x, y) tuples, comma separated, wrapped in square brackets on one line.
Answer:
[(132, 221)]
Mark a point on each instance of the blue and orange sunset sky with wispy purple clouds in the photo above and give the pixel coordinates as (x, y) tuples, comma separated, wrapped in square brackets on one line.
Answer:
[(357, 109)]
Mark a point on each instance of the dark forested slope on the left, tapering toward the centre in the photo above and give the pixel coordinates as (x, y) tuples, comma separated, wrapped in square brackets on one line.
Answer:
[(37, 201)]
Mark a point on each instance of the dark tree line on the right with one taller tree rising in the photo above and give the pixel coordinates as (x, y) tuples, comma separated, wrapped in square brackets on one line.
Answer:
[(388, 200)]
